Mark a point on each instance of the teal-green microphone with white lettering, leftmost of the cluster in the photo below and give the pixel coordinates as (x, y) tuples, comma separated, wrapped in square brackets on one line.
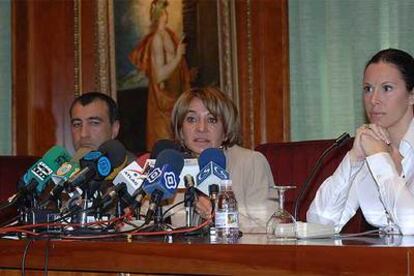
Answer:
[(38, 176)]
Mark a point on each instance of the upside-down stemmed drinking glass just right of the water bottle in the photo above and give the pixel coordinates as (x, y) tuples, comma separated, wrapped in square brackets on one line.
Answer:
[(281, 225)]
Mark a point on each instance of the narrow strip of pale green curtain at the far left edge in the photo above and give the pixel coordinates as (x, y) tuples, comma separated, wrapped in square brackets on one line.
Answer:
[(5, 77)]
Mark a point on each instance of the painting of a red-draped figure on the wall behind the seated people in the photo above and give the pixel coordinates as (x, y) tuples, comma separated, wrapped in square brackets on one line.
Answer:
[(162, 48)]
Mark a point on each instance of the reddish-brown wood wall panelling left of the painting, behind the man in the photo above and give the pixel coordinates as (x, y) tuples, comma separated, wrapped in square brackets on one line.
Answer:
[(44, 71)]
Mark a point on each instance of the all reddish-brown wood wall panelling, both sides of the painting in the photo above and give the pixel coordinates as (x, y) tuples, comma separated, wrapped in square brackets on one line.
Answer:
[(44, 77)]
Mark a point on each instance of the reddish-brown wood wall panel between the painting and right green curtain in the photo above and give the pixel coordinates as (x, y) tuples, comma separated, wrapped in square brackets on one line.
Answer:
[(263, 57)]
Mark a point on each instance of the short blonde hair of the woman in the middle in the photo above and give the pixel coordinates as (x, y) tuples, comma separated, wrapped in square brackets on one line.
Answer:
[(217, 103)]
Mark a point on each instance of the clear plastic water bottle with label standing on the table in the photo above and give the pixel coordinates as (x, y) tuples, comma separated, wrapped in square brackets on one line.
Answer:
[(227, 214)]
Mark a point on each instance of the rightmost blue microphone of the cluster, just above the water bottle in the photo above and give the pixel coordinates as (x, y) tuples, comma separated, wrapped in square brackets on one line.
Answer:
[(212, 163)]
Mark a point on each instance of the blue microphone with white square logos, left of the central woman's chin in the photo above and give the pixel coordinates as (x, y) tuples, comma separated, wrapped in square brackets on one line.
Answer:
[(163, 179)]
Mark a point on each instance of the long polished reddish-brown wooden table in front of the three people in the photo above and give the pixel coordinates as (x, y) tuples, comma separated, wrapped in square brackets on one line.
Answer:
[(253, 255)]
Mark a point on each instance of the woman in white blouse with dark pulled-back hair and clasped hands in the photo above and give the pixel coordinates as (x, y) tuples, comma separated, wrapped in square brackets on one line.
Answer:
[(377, 174)]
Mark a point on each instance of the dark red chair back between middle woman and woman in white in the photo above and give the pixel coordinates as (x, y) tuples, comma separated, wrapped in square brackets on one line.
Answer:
[(291, 164)]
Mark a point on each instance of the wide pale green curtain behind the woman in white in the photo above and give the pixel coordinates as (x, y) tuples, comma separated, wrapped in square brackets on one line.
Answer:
[(330, 42)]
